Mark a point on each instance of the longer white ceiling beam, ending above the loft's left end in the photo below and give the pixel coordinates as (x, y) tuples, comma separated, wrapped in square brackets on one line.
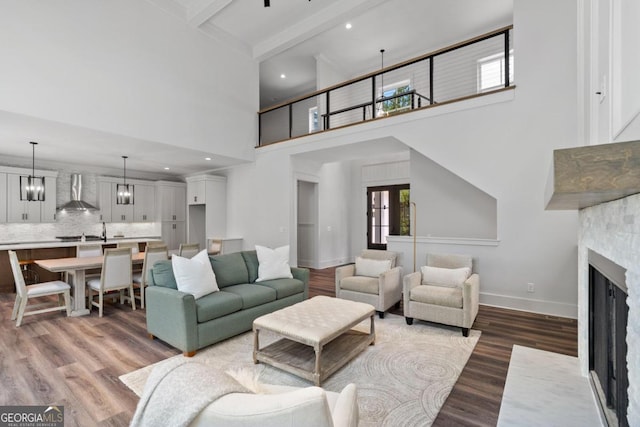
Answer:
[(311, 26)]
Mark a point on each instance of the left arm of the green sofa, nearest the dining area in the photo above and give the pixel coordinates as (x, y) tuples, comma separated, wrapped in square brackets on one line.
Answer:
[(171, 316)]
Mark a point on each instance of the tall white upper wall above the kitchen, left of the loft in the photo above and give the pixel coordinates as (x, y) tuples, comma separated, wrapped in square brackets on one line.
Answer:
[(137, 71)]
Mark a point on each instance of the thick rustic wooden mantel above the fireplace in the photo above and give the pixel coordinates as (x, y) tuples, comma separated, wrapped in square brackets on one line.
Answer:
[(587, 176)]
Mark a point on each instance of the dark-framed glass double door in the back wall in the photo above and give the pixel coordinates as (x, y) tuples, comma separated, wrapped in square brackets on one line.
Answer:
[(388, 213)]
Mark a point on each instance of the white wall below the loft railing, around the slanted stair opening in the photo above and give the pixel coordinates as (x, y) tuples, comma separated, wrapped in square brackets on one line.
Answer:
[(501, 144)]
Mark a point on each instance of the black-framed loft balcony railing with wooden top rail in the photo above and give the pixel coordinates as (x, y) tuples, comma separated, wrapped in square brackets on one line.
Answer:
[(474, 67)]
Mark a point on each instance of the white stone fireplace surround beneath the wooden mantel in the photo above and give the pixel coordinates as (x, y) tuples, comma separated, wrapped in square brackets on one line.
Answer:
[(612, 229)]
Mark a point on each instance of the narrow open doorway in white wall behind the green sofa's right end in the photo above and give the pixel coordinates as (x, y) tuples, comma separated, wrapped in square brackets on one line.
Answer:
[(307, 227)]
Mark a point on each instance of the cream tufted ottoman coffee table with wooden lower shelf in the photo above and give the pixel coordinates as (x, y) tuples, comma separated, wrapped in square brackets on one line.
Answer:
[(317, 336)]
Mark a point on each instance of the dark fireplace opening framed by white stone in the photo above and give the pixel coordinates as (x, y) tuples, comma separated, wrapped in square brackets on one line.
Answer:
[(608, 313)]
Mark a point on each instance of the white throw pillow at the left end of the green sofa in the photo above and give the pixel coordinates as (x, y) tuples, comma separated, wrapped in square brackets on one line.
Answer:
[(194, 276)]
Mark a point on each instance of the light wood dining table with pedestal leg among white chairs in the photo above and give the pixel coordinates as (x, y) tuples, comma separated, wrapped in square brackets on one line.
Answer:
[(78, 266)]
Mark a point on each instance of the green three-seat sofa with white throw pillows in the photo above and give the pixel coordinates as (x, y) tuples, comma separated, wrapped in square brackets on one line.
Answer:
[(189, 324)]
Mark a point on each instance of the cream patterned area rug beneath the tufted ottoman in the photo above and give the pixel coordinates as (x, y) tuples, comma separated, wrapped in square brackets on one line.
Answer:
[(402, 380)]
